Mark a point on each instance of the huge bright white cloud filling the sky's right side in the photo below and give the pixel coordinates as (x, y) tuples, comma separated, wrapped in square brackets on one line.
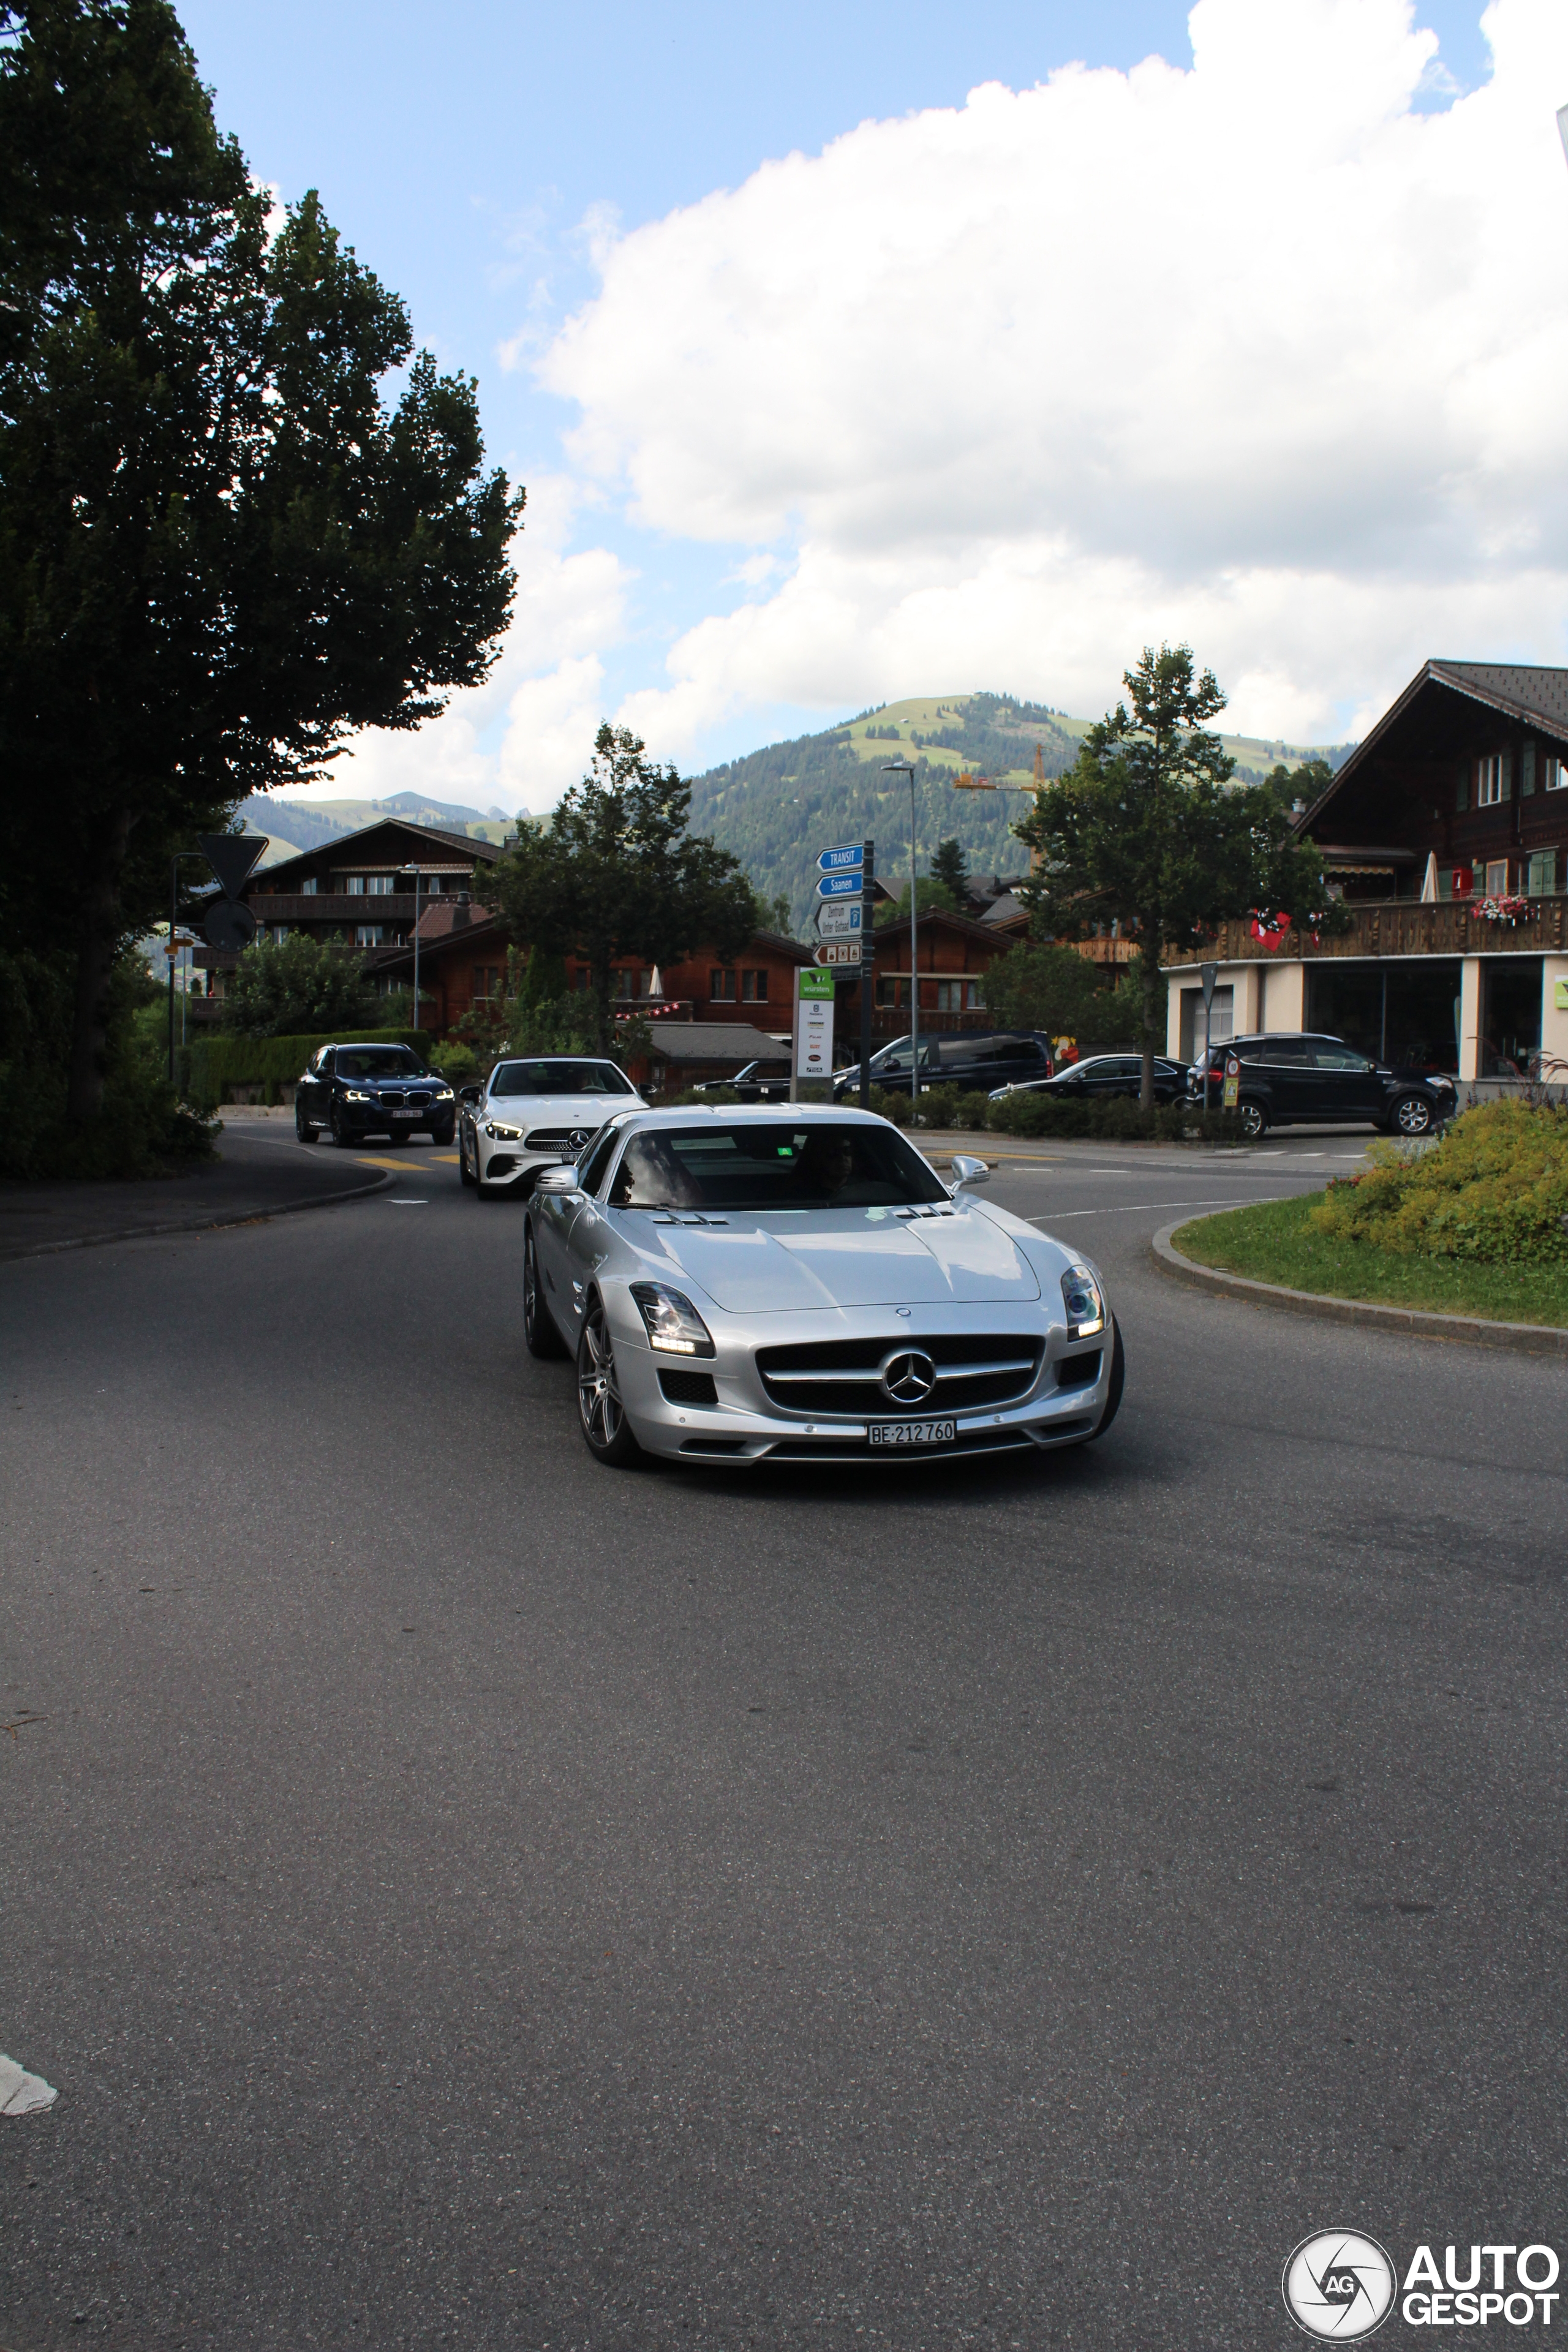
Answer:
[(1252, 354)]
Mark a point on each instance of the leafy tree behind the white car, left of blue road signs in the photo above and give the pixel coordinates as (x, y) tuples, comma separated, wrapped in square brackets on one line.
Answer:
[(617, 874)]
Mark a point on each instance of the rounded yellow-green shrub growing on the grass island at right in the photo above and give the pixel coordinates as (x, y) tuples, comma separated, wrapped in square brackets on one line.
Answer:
[(1494, 1189)]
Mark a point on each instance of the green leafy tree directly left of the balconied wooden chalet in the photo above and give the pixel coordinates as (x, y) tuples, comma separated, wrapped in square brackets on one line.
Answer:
[(1146, 834)]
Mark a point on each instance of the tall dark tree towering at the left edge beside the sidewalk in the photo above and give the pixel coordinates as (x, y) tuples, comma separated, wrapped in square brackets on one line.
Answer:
[(220, 549)]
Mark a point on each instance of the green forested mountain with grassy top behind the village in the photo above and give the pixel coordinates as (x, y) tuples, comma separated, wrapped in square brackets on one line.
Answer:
[(777, 808)]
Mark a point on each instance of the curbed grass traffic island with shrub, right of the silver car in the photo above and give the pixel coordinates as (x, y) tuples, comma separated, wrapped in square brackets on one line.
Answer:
[(1473, 1227)]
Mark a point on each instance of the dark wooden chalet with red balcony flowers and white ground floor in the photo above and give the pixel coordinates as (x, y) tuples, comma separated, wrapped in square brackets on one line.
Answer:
[(1447, 836)]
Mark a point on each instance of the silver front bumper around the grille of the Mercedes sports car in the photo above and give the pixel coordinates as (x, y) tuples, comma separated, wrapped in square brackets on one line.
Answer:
[(746, 1426)]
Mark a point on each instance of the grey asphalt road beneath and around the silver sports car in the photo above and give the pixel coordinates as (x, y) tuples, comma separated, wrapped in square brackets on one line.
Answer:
[(467, 1897)]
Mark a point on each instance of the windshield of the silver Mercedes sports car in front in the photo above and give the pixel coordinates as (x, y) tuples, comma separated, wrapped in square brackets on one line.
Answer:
[(772, 1168)]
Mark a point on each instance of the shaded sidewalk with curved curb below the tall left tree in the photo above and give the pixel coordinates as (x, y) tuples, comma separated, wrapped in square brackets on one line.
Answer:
[(246, 1182)]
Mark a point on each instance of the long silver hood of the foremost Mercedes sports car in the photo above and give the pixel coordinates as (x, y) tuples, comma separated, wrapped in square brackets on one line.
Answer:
[(838, 1259)]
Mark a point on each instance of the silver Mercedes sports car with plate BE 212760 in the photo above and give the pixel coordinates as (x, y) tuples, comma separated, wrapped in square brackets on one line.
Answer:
[(798, 1285)]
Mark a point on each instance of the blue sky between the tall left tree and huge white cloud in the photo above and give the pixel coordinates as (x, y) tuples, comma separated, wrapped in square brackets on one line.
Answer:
[(471, 154)]
